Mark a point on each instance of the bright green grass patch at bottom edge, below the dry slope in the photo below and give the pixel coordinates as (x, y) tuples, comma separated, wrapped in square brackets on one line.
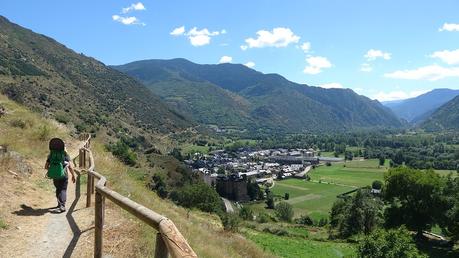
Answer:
[(299, 247)]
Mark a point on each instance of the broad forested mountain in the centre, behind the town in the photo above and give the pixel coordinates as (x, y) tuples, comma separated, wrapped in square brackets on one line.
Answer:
[(234, 95)]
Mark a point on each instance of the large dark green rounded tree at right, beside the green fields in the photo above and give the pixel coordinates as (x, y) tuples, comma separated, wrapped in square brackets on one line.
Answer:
[(414, 196)]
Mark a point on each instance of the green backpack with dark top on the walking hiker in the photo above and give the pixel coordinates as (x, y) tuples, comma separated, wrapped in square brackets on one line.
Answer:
[(56, 168)]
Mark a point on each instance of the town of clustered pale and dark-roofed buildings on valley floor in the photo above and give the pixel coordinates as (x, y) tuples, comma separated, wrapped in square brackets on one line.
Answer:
[(231, 172)]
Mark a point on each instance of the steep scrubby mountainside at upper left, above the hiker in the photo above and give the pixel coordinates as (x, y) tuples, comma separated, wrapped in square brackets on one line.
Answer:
[(50, 78)]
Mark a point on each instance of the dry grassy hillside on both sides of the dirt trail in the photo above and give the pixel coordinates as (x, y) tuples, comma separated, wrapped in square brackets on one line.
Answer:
[(125, 236)]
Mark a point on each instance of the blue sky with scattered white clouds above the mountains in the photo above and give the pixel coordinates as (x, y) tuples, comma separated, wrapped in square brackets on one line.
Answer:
[(382, 49)]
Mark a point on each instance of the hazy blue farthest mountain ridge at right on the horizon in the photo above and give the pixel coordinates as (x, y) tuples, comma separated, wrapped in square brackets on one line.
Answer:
[(418, 109)]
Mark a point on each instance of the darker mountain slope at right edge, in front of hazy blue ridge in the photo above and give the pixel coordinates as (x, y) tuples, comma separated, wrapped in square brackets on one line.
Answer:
[(444, 118)]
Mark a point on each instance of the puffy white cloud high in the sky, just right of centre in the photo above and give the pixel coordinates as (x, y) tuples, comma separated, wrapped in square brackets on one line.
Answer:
[(278, 37)]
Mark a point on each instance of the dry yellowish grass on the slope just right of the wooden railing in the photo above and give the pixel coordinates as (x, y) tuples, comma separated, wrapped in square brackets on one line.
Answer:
[(203, 230)]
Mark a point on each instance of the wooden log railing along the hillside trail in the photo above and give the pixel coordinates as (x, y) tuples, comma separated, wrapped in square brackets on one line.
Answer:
[(168, 239)]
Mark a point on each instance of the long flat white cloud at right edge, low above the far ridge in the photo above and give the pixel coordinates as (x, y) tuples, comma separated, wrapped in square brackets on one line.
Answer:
[(431, 73)]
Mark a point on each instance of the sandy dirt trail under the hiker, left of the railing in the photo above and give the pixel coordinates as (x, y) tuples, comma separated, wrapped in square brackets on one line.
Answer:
[(35, 230)]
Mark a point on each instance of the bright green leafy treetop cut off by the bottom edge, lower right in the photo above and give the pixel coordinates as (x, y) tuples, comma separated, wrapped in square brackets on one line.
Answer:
[(395, 243)]
